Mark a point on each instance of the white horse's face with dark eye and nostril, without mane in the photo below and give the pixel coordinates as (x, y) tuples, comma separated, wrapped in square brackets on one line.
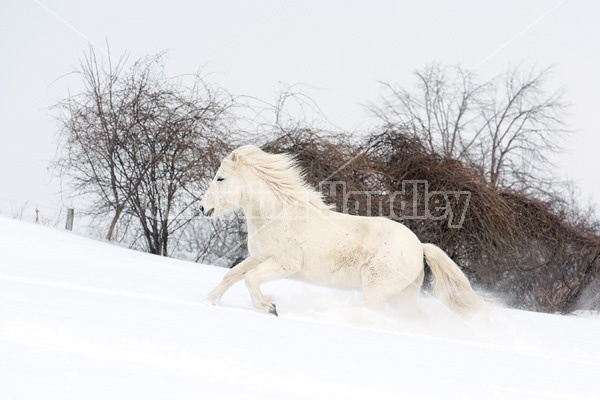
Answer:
[(225, 191)]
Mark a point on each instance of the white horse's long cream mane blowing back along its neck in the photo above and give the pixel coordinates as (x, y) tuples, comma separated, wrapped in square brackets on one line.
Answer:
[(281, 173)]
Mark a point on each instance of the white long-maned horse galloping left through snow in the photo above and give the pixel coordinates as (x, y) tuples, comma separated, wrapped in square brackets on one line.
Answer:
[(292, 233)]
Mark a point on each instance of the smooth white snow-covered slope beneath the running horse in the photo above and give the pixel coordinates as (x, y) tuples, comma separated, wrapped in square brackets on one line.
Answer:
[(82, 319)]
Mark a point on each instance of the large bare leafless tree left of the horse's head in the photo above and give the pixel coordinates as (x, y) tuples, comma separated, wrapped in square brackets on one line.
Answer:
[(139, 143)]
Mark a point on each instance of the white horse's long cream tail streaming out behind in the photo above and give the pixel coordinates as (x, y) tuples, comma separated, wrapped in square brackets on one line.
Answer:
[(449, 283)]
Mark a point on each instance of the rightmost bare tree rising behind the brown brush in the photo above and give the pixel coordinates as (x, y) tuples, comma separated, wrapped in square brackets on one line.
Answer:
[(522, 126)]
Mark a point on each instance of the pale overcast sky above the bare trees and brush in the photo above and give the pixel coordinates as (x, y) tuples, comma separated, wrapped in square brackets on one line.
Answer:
[(338, 49)]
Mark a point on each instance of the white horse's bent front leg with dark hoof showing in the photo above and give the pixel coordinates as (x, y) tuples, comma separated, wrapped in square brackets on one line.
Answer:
[(266, 271)]
